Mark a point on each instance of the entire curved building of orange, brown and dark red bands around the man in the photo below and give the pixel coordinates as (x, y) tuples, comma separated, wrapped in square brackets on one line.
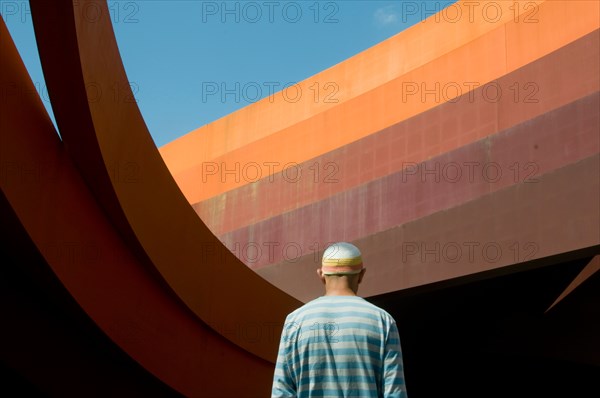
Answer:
[(112, 283)]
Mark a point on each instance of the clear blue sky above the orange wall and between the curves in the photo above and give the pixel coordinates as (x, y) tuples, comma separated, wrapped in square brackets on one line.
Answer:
[(180, 56)]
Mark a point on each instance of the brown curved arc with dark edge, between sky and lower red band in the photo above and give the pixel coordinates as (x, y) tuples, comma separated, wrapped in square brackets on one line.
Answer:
[(108, 138)]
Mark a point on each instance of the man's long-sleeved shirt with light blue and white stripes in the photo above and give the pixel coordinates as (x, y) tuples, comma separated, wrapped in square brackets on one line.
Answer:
[(339, 346)]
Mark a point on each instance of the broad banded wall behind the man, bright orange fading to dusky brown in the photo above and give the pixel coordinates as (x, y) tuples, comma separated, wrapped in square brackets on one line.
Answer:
[(529, 88)]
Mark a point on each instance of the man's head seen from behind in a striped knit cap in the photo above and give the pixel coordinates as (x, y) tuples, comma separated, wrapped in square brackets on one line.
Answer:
[(341, 268)]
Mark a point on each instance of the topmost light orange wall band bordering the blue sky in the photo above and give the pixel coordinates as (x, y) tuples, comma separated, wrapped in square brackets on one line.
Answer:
[(412, 48)]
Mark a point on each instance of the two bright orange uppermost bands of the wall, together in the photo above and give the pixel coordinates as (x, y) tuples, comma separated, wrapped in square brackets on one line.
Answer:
[(498, 48)]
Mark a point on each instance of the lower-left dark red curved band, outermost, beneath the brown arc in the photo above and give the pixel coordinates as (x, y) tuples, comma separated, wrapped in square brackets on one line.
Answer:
[(82, 247)]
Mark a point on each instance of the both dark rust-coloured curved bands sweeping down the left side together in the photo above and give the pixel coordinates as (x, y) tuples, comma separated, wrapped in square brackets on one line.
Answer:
[(149, 260)]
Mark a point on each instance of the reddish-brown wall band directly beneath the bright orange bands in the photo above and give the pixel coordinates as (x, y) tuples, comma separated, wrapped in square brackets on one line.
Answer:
[(528, 92)]
